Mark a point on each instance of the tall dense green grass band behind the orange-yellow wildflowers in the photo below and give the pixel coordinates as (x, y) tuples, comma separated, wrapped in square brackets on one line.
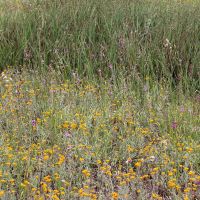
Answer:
[(157, 39)]
